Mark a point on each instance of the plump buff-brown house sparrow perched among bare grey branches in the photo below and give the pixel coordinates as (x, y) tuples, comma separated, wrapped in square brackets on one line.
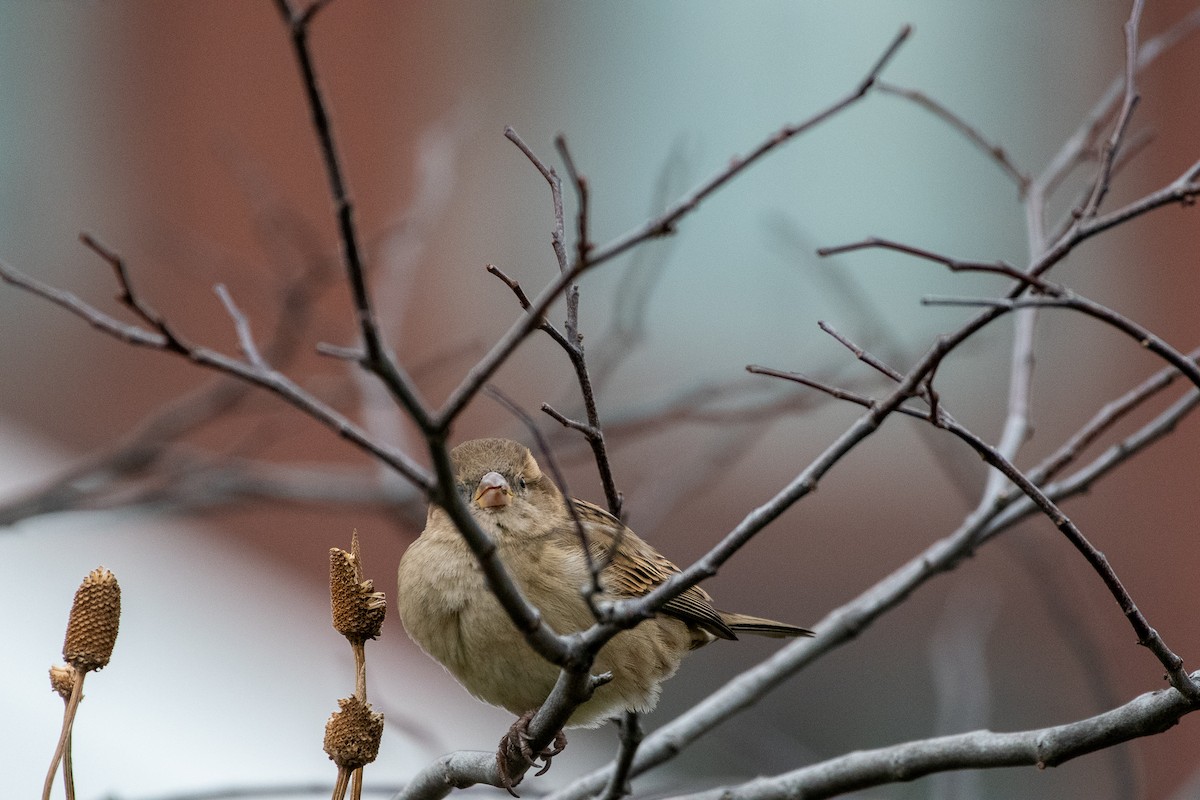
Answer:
[(449, 611)]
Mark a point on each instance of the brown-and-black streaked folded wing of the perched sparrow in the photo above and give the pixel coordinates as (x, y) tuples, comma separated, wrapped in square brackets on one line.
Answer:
[(634, 568)]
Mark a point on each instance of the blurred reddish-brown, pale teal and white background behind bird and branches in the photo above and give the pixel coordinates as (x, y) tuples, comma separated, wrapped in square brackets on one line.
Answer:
[(177, 134)]
